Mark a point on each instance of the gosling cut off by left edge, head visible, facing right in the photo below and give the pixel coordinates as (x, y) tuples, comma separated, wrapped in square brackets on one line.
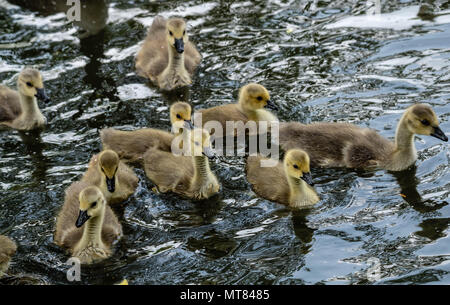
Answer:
[(19, 110)]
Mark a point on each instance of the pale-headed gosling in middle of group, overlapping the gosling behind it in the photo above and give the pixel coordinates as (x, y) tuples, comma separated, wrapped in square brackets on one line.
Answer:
[(189, 176)]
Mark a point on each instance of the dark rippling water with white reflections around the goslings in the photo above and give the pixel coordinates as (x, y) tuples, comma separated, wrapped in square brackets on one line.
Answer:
[(366, 73)]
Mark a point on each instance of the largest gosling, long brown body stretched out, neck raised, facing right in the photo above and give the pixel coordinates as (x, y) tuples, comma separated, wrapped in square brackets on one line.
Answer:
[(347, 145)]
